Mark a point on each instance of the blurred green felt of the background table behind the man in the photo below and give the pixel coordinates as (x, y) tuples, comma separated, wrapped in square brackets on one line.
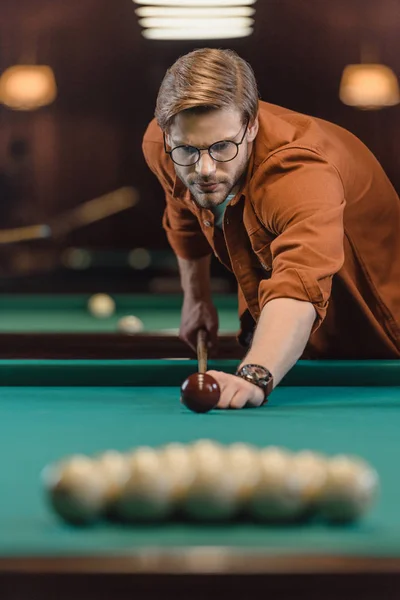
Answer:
[(47, 313)]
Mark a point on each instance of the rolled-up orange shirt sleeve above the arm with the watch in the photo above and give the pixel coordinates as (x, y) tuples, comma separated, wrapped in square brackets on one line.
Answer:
[(300, 199)]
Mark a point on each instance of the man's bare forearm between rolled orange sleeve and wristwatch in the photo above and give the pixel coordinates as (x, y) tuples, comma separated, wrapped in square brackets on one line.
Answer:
[(281, 335)]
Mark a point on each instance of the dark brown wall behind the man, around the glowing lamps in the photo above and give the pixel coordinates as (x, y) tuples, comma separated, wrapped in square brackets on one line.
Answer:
[(89, 141)]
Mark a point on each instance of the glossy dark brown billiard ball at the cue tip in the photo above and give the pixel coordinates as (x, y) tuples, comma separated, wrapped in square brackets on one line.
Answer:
[(200, 392)]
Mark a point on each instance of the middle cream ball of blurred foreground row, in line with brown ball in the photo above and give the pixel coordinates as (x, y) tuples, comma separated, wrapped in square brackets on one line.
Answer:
[(212, 494)]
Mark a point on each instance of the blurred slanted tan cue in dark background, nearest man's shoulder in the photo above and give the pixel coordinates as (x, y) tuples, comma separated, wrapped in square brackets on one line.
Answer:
[(94, 210)]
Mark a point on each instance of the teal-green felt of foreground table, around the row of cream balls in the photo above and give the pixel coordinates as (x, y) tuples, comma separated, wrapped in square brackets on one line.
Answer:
[(41, 424)]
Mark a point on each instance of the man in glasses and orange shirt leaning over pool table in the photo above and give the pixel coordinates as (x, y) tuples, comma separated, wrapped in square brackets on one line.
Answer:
[(298, 208)]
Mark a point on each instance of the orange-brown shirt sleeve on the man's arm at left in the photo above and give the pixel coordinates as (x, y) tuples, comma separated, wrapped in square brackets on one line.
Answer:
[(180, 223)]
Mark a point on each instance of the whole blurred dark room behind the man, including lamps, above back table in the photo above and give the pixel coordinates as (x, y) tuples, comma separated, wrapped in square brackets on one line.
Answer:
[(79, 209)]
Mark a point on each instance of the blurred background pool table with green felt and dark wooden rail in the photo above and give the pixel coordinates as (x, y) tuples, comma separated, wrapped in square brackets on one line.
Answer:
[(60, 326)]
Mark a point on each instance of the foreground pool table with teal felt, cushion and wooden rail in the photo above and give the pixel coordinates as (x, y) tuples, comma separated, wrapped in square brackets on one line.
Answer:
[(53, 408)]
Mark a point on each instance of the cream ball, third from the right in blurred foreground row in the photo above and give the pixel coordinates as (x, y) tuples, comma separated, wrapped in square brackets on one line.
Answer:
[(277, 497)]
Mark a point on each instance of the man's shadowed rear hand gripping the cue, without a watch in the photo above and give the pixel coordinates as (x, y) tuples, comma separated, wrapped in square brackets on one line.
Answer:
[(198, 314)]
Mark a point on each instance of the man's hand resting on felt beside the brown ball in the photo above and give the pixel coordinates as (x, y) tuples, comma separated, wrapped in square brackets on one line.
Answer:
[(236, 392)]
